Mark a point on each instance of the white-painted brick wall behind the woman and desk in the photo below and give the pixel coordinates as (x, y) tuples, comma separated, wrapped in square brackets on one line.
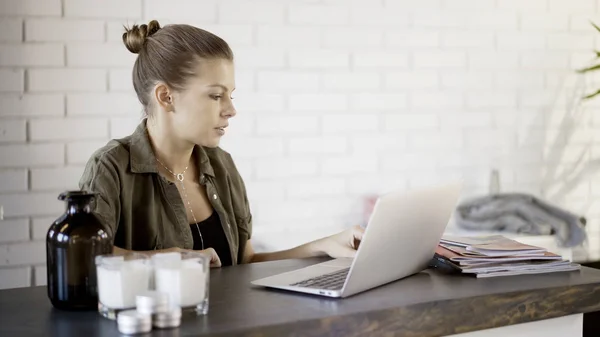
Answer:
[(335, 100)]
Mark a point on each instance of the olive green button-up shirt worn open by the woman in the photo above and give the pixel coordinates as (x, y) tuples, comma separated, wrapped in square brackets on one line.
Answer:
[(144, 211)]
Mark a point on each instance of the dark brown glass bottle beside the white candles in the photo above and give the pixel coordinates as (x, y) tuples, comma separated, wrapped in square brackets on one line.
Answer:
[(72, 243)]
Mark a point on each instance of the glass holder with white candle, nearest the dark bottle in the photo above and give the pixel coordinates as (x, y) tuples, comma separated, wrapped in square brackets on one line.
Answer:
[(121, 277)]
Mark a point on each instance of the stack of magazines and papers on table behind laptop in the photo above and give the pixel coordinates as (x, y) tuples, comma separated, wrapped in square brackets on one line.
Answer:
[(496, 255)]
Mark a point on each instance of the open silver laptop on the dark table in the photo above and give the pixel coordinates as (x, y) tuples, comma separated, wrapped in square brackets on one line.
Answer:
[(400, 240)]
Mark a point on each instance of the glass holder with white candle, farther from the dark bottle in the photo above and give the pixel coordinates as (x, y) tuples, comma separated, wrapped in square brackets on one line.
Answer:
[(185, 276)]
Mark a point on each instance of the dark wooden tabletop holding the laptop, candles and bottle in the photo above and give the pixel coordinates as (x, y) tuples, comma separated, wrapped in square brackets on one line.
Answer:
[(426, 304)]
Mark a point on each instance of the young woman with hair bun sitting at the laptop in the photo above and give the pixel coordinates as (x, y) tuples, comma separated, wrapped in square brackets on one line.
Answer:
[(168, 186)]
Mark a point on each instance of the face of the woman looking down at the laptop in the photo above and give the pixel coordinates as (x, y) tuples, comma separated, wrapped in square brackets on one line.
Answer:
[(202, 110)]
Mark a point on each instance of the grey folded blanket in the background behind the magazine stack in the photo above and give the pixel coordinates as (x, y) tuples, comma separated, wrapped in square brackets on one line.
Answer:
[(521, 213)]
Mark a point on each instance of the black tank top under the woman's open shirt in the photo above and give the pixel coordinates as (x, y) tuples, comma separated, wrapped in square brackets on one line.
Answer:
[(213, 237)]
